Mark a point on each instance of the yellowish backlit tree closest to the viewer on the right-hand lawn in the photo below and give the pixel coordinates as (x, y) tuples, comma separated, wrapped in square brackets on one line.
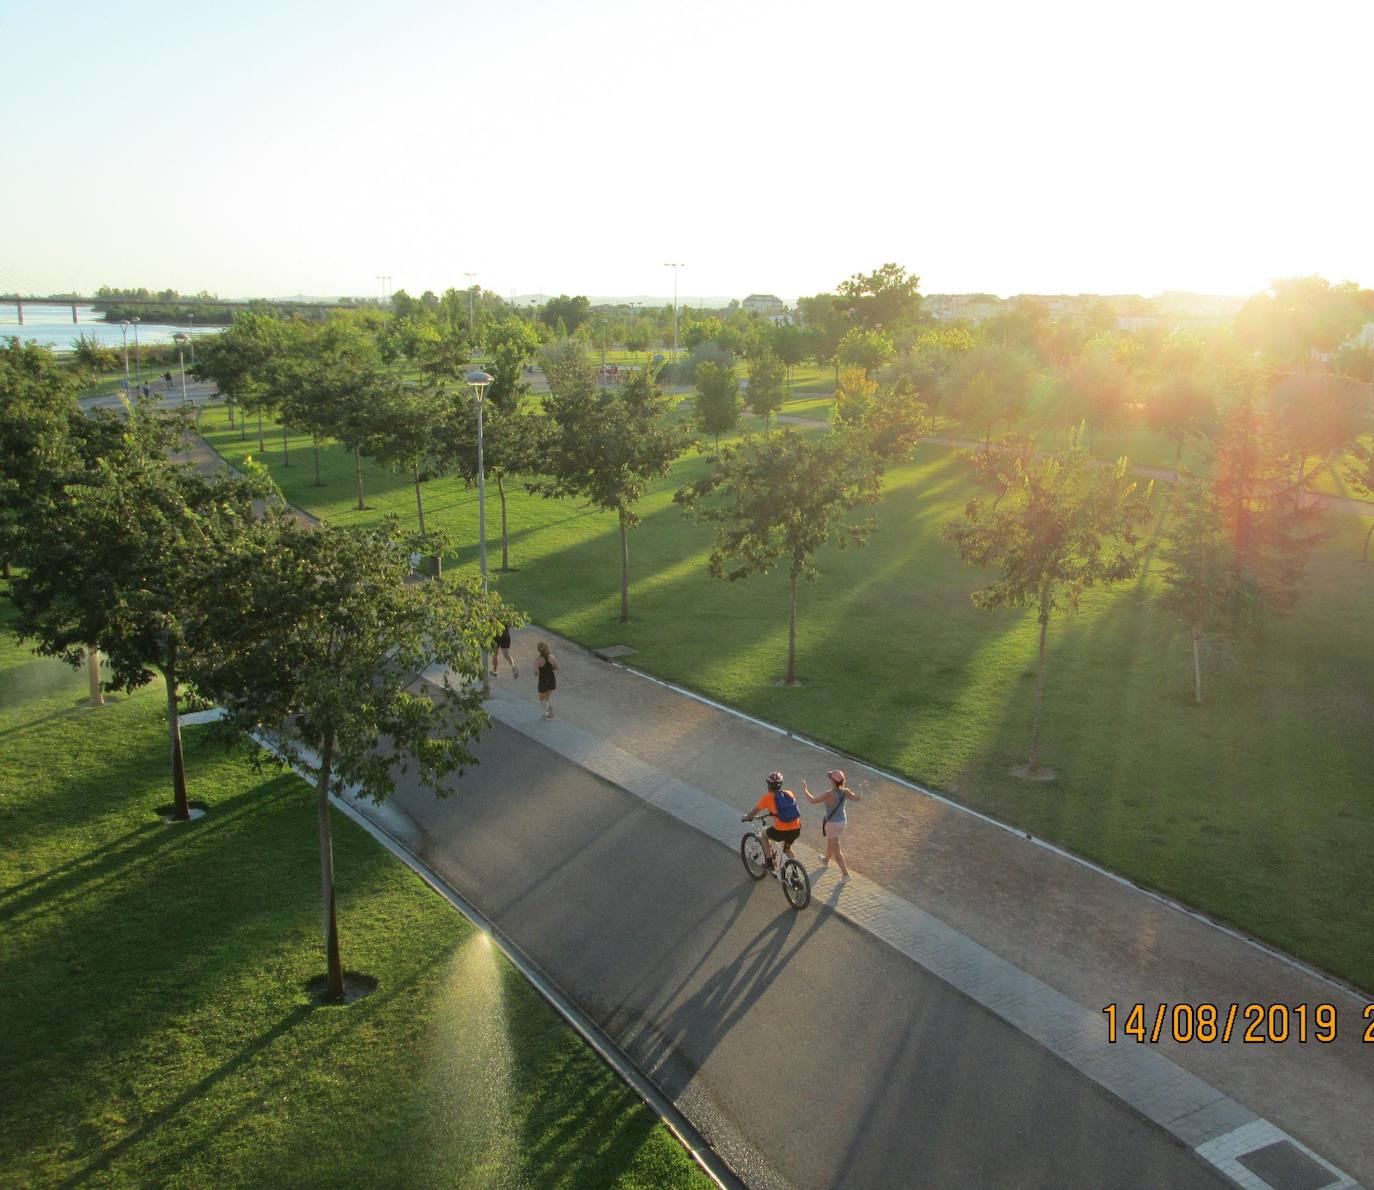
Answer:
[(1061, 527)]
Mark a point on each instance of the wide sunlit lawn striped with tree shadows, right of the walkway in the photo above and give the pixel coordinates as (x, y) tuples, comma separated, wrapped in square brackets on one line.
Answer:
[(1255, 807)]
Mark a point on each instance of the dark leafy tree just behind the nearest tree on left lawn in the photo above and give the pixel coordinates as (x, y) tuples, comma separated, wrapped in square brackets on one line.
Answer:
[(115, 561)]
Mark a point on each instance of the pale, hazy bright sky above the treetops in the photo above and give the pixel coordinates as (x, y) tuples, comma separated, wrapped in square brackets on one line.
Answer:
[(553, 146)]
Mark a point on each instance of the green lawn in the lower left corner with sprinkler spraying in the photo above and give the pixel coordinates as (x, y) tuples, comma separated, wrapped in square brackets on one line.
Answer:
[(157, 1031)]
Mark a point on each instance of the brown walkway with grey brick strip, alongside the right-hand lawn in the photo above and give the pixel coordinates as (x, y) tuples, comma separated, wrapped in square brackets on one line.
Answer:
[(1041, 939)]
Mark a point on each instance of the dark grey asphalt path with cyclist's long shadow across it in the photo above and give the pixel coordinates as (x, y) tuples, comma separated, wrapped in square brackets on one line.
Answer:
[(809, 1053)]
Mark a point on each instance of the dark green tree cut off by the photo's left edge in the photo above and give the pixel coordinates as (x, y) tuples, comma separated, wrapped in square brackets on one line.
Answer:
[(36, 412)]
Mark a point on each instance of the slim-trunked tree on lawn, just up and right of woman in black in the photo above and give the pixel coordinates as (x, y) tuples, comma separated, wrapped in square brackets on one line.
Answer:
[(604, 446)]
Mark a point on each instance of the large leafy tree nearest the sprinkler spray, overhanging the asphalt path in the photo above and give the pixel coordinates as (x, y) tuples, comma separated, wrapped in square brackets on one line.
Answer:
[(324, 641)]
